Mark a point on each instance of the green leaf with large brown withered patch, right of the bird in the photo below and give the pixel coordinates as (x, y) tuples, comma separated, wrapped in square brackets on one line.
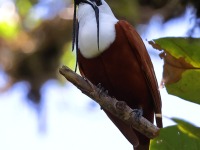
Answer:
[(181, 66)]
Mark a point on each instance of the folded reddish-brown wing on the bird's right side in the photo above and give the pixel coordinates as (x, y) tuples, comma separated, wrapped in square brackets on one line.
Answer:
[(136, 43)]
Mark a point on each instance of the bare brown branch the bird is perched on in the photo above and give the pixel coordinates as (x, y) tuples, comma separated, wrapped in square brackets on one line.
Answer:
[(117, 108)]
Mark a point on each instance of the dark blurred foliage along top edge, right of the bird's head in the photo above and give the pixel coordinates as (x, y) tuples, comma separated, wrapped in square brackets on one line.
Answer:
[(141, 11)]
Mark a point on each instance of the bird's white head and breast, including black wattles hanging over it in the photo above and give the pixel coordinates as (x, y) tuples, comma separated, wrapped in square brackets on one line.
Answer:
[(96, 27)]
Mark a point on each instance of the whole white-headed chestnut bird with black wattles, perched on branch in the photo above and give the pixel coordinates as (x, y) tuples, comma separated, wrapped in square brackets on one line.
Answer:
[(112, 53)]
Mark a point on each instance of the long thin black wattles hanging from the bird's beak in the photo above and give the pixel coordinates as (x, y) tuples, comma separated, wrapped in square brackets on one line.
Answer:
[(76, 24)]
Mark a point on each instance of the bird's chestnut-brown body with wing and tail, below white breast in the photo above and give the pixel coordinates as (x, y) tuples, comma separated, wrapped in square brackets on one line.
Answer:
[(126, 71)]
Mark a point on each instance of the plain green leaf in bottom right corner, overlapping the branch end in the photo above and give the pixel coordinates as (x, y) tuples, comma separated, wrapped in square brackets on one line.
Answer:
[(172, 138)]
